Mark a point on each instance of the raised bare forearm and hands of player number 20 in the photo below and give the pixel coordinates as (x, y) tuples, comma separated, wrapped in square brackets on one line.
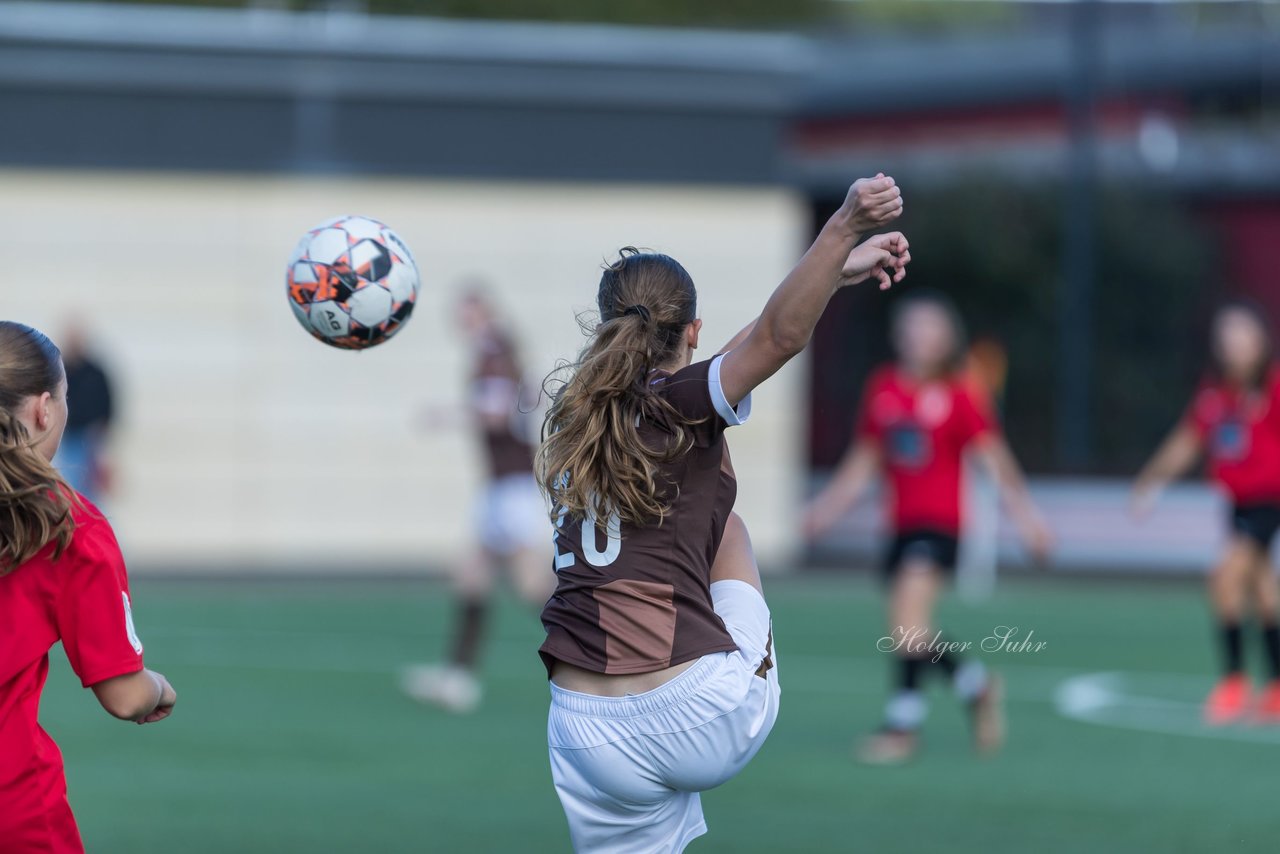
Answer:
[(835, 261)]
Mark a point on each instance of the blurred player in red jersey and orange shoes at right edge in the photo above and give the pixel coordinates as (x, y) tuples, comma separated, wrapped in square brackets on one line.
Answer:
[(1236, 419)]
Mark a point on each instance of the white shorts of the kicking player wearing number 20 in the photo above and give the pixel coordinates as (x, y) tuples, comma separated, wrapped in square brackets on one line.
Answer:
[(628, 770)]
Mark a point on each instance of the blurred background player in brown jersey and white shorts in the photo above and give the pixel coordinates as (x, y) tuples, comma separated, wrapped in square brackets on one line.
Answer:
[(511, 517)]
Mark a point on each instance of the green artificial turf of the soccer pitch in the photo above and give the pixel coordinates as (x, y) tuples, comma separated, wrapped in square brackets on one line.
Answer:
[(291, 734)]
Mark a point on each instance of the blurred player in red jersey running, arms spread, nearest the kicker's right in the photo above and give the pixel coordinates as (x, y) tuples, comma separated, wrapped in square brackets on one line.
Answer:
[(920, 419)]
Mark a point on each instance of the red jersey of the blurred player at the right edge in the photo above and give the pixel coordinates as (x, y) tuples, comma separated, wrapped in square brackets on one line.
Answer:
[(1241, 432)]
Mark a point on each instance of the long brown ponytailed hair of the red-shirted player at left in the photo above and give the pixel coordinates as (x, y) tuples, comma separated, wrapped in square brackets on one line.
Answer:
[(35, 501)]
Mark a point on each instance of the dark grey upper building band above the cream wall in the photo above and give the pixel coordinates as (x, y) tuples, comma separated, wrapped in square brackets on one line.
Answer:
[(94, 86)]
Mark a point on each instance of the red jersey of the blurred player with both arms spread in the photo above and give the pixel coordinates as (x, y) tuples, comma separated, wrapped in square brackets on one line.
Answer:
[(922, 431)]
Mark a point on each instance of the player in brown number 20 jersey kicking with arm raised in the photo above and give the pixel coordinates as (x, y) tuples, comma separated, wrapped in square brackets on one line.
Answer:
[(659, 650)]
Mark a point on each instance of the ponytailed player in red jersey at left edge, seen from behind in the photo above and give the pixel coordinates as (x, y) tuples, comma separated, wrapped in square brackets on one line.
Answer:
[(62, 578)]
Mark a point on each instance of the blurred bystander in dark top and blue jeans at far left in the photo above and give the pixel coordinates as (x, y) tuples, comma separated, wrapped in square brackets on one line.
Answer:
[(83, 456)]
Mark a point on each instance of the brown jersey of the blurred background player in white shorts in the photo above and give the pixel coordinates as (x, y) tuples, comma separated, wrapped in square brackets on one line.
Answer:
[(496, 400)]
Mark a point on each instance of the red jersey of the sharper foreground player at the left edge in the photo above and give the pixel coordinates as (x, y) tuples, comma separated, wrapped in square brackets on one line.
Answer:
[(83, 600)]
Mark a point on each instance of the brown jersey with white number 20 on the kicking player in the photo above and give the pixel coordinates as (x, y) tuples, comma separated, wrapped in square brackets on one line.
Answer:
[(637, 599)]
